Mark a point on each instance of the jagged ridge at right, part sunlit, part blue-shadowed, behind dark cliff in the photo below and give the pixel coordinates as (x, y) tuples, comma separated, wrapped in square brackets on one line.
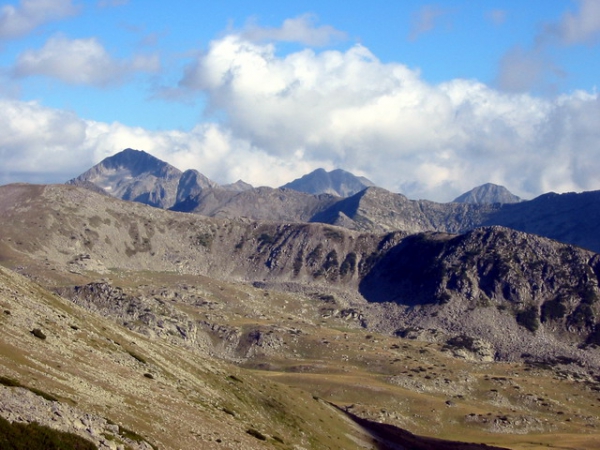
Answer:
[(573, 218)]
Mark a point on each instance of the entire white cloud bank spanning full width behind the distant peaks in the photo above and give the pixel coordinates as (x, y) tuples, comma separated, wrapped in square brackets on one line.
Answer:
[(281, 117)]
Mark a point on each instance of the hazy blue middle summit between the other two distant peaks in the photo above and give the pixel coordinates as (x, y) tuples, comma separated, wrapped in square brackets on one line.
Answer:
[(337, 182)]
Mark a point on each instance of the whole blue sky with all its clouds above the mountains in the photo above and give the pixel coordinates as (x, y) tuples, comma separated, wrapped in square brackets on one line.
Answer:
[(427, 99)]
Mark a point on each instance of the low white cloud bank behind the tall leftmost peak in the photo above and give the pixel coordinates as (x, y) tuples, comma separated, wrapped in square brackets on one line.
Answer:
[(39, 144)]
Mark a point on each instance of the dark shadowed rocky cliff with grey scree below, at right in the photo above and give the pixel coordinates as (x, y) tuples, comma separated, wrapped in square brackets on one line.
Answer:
[(497, 284)]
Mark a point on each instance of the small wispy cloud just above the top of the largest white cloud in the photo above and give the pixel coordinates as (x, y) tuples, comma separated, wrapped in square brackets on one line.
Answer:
[(302, 30)]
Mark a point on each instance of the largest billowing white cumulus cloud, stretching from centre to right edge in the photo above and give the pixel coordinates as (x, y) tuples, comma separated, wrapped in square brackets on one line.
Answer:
[(348, 109)]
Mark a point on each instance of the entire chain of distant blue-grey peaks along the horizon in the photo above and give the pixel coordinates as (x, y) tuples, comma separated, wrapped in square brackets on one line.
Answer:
[(137, 176)]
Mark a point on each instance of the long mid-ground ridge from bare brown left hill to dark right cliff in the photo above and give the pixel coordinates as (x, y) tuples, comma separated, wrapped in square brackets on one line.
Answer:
[(485, 282)]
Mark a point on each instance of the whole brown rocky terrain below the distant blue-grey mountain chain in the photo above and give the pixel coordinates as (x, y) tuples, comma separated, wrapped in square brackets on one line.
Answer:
[(161, 329)]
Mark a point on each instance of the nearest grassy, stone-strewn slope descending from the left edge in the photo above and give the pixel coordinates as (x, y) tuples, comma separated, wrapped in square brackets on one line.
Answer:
[(119, 389)]
